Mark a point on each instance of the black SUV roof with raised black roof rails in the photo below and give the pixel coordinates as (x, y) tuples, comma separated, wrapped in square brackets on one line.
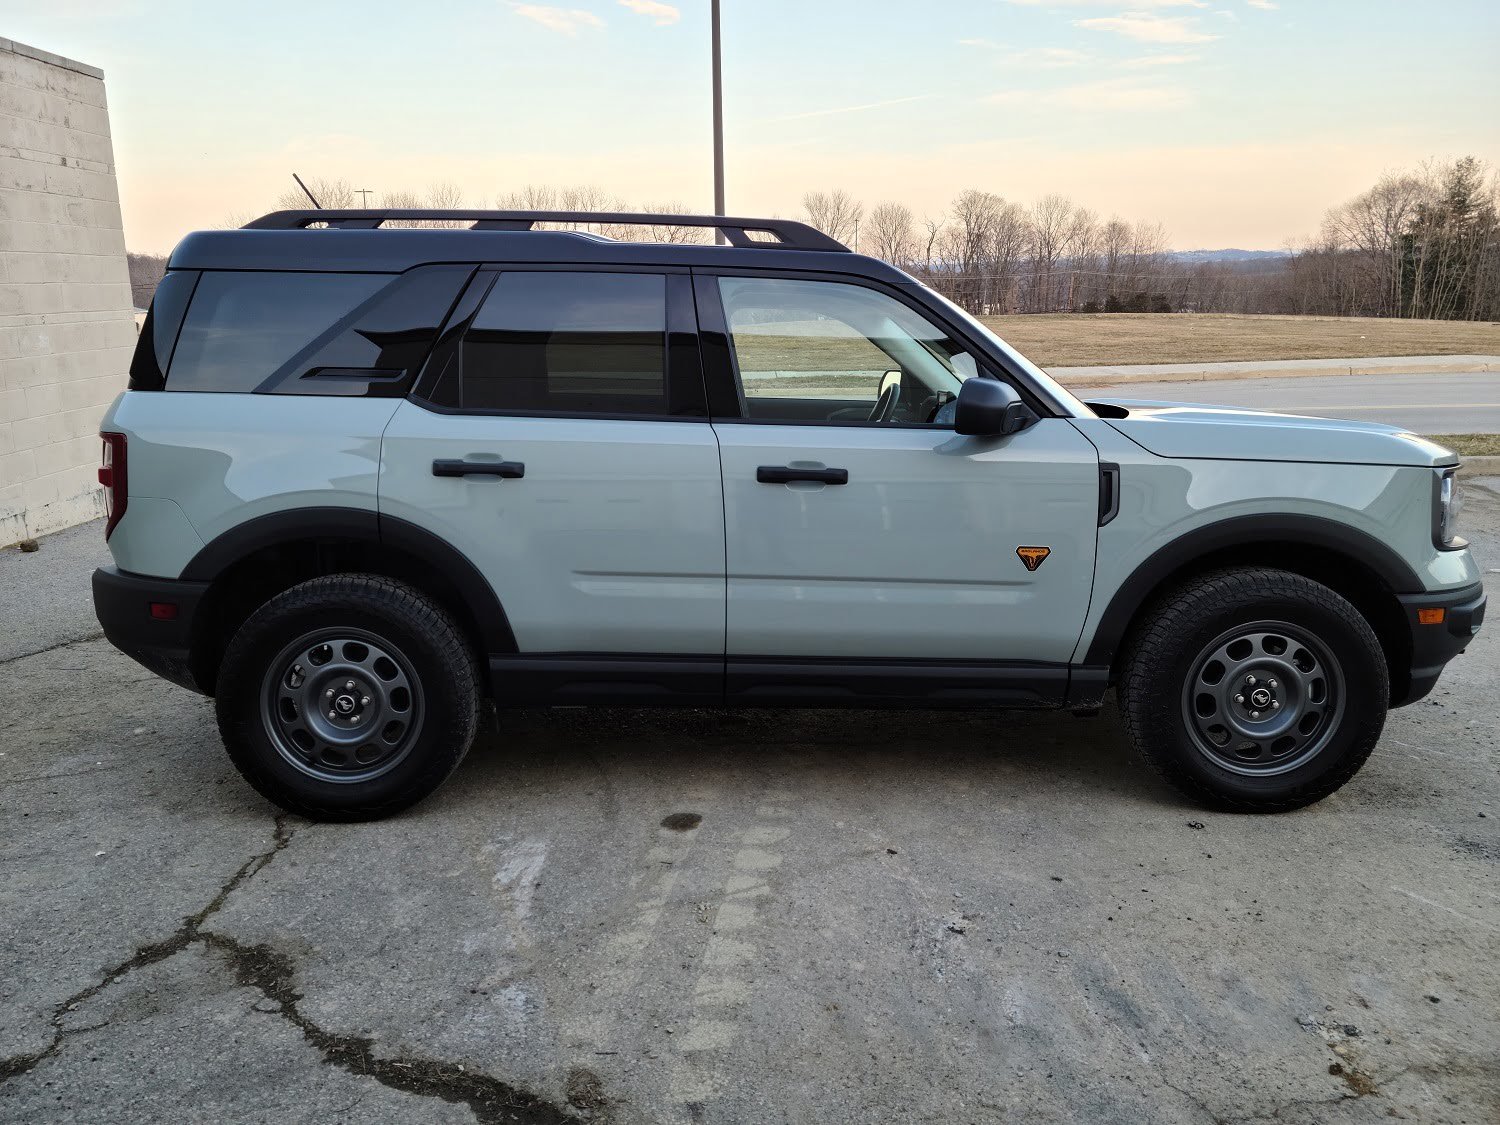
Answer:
[(355, 241)]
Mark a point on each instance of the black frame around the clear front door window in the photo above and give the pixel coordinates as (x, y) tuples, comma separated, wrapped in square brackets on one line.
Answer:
[(724, 383)]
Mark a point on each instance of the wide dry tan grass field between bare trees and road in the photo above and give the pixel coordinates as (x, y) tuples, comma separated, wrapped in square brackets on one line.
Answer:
[(1088, 340)]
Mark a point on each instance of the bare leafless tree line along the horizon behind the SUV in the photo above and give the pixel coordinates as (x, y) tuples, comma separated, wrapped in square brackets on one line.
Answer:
[(1421, 244)]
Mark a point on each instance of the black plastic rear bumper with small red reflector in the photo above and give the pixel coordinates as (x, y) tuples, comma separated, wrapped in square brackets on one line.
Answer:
[(124, 605)]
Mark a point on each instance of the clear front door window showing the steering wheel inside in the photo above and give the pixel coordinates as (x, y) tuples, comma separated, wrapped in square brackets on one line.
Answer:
[(830, 352)]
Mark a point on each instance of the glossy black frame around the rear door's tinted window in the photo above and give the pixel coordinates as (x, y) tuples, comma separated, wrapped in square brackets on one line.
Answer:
[(682, 352)]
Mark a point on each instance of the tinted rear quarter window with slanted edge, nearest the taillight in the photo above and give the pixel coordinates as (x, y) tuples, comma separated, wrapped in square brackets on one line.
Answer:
[(244, 328)]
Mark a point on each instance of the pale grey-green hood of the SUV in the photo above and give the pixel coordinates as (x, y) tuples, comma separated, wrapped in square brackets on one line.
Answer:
[(1190, 430)]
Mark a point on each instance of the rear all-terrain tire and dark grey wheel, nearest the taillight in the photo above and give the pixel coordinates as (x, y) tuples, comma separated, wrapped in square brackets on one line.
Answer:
[(316, 749)]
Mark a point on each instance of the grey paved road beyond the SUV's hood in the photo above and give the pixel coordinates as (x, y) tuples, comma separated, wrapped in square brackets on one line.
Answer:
[(1460, 403)]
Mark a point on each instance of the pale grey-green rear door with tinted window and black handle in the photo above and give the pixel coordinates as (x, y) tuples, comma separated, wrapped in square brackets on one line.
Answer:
[(560, 440)]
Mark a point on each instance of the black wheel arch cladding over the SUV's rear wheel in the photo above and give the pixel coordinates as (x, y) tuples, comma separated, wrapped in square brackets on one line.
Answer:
[(256, 560)]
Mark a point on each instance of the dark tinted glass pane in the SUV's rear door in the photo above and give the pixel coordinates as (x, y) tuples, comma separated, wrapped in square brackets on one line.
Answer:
[(569, 343)]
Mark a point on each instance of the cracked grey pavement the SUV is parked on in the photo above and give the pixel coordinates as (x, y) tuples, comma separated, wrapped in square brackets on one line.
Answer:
[(878, 917)]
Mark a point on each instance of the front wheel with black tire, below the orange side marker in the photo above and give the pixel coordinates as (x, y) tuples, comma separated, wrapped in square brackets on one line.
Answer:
[(1255, 691)]
